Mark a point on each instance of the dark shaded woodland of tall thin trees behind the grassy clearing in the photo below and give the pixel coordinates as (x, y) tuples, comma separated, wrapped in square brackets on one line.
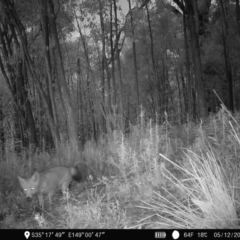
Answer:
[(76, 70)]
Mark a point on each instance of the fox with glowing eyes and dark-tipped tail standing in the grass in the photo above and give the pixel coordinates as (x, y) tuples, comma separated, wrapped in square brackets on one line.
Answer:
[(48, 182)]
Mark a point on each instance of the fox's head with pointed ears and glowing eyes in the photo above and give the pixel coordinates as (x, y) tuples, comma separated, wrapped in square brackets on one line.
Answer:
[(30, 186)]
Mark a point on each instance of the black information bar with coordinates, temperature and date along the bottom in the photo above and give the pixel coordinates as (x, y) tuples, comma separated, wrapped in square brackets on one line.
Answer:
[(126, 233)]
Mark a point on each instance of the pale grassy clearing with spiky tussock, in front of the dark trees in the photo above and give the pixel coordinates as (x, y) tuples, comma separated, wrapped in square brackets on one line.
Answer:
[(157, 176)]
